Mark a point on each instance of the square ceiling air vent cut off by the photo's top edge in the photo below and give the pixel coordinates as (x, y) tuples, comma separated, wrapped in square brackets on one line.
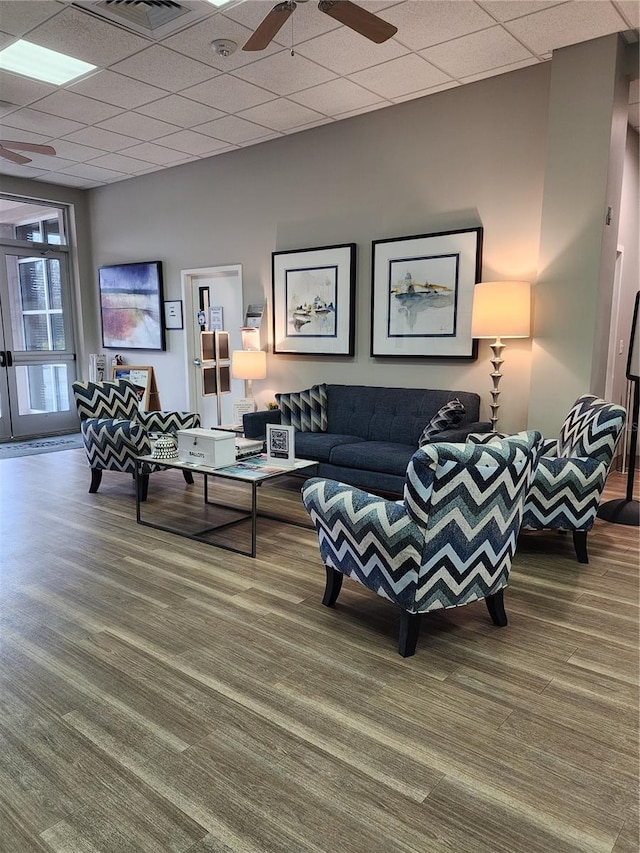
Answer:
[(155, 19)]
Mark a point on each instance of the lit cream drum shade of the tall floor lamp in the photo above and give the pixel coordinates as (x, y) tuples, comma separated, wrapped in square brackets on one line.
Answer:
[(501, 309)]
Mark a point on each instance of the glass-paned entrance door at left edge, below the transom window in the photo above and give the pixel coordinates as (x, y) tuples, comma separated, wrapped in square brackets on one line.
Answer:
[(37, 352)]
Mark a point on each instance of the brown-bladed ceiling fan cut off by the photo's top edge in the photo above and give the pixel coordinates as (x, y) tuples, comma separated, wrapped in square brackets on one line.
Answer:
[(351, 15)]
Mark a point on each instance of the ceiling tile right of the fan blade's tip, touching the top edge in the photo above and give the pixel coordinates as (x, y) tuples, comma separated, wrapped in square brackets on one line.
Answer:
[(424, 24)]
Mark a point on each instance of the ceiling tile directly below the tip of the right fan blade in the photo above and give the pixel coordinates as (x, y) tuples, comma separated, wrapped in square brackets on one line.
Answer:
[(344, 51)]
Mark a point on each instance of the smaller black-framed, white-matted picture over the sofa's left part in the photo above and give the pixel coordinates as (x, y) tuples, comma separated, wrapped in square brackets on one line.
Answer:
[(313, 301)]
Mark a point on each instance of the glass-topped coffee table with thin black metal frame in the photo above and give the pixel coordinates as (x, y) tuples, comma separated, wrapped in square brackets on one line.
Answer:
[(253, 472)]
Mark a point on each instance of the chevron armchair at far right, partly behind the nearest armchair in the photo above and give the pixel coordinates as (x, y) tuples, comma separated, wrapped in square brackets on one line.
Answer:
[(573, 469)]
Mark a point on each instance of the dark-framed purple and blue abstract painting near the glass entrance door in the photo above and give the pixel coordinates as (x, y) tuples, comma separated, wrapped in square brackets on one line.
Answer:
[(131, 305)]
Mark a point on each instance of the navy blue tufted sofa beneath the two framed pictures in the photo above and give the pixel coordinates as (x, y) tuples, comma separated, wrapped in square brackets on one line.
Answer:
[(372, 432)]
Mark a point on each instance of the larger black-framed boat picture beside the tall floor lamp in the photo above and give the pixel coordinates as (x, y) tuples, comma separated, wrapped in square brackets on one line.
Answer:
[(422, 294)]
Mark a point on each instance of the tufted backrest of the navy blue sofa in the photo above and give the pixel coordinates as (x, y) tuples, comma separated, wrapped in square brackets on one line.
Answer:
[(397, 415)]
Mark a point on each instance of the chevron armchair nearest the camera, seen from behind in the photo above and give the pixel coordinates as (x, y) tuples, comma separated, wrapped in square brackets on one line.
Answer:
[(449, 542)]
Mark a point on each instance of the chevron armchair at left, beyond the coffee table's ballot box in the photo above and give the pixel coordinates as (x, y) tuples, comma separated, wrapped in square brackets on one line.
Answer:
[(114, 432)]
